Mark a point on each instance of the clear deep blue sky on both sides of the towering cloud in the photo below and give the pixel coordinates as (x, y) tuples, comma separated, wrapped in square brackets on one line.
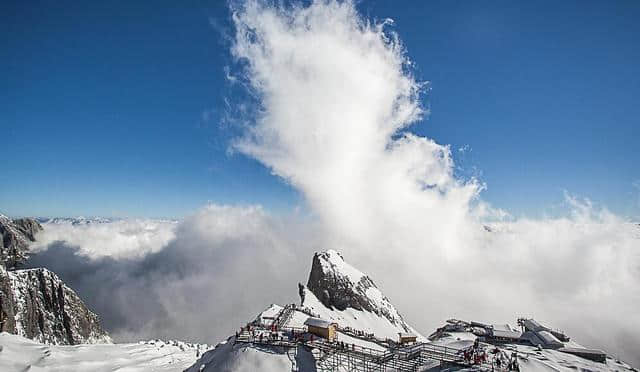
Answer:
[(102, 109)]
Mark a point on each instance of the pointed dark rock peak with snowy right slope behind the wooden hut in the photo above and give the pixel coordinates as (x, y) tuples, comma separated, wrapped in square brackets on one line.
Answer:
[(339, 286)]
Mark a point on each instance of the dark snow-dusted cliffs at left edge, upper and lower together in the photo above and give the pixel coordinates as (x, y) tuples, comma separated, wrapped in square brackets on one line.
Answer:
[(35, 303)]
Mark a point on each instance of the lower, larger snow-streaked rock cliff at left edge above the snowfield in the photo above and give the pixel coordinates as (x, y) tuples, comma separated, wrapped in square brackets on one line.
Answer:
[(41, 307)]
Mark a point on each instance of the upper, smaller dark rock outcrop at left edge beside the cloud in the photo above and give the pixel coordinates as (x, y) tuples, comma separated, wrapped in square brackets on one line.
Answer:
[(15, 236)]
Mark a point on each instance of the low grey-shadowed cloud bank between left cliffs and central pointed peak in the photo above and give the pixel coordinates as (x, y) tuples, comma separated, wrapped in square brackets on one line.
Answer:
[(221, 266)]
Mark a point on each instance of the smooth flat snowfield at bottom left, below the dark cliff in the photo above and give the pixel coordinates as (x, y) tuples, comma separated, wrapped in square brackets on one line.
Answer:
[(18, 354)]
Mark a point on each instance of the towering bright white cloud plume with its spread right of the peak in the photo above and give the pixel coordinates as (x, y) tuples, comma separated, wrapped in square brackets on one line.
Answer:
[(337, 99)]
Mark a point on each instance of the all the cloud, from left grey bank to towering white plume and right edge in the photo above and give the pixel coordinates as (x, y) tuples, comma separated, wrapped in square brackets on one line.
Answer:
[(333, 99)]
